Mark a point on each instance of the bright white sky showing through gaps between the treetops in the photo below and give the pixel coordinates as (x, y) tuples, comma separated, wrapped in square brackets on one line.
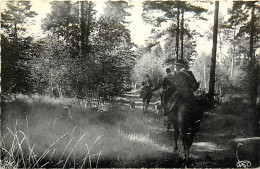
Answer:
[(140, 30)]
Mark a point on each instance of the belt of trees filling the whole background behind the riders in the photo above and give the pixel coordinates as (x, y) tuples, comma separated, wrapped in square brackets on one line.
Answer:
[(91, 56)]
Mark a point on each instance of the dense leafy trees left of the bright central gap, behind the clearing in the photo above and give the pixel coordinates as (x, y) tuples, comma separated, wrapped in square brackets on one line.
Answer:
[(81, 56)]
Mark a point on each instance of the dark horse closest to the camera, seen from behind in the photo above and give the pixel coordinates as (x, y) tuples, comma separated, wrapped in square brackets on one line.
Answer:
[(186, 117)]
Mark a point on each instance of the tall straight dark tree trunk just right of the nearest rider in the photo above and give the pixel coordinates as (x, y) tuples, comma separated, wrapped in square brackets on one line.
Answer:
[(214, 52)]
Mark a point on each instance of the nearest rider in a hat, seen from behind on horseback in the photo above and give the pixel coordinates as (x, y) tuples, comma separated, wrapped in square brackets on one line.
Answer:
[(183, 87)]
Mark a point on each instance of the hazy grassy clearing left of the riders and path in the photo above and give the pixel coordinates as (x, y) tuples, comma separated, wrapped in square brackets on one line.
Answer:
[(34, 135)]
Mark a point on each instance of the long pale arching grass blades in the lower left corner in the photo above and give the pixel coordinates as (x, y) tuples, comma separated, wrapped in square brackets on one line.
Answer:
[(20, 153)]
